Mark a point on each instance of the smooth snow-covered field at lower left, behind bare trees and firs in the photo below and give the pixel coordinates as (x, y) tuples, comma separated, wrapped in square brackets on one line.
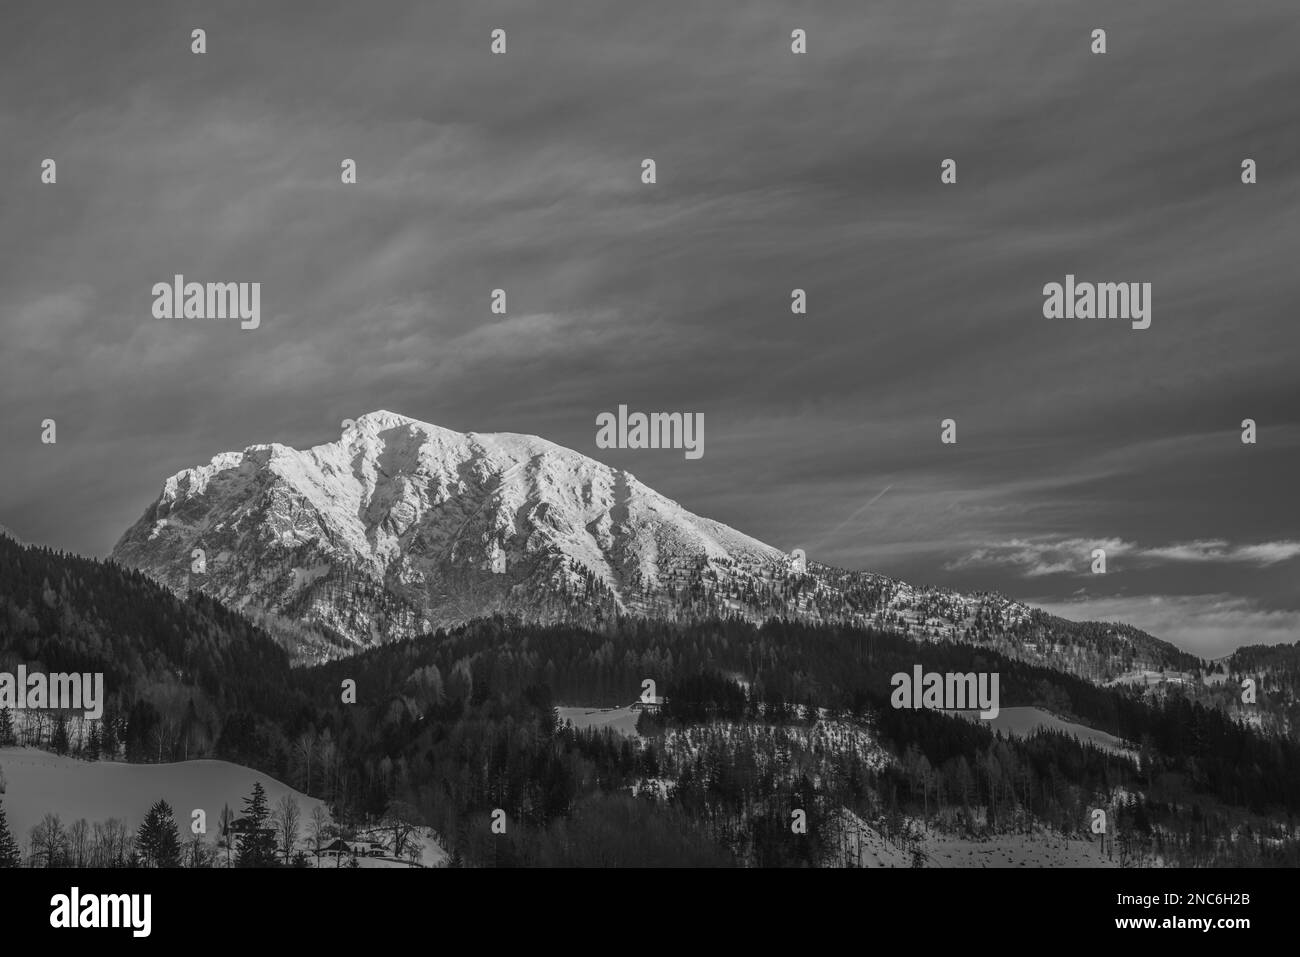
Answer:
[(40, 782)]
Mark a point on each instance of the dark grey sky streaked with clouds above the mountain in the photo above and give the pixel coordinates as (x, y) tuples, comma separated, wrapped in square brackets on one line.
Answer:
[(774, 172)]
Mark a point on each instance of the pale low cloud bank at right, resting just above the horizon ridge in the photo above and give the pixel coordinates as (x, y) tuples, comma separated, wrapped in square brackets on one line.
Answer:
[(1206, 625)]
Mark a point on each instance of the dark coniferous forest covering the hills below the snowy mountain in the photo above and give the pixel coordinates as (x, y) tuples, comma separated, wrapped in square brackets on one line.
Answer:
[(755, 726)]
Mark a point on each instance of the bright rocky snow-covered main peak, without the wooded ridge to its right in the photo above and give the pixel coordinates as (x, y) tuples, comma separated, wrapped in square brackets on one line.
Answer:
[(435, 527)]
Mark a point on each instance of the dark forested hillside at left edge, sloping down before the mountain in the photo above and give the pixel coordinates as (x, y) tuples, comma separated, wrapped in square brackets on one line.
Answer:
[(172, 668)]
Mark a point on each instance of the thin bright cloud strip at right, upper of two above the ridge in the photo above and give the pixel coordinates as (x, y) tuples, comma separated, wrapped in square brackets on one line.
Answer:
[(1074, 556)]
